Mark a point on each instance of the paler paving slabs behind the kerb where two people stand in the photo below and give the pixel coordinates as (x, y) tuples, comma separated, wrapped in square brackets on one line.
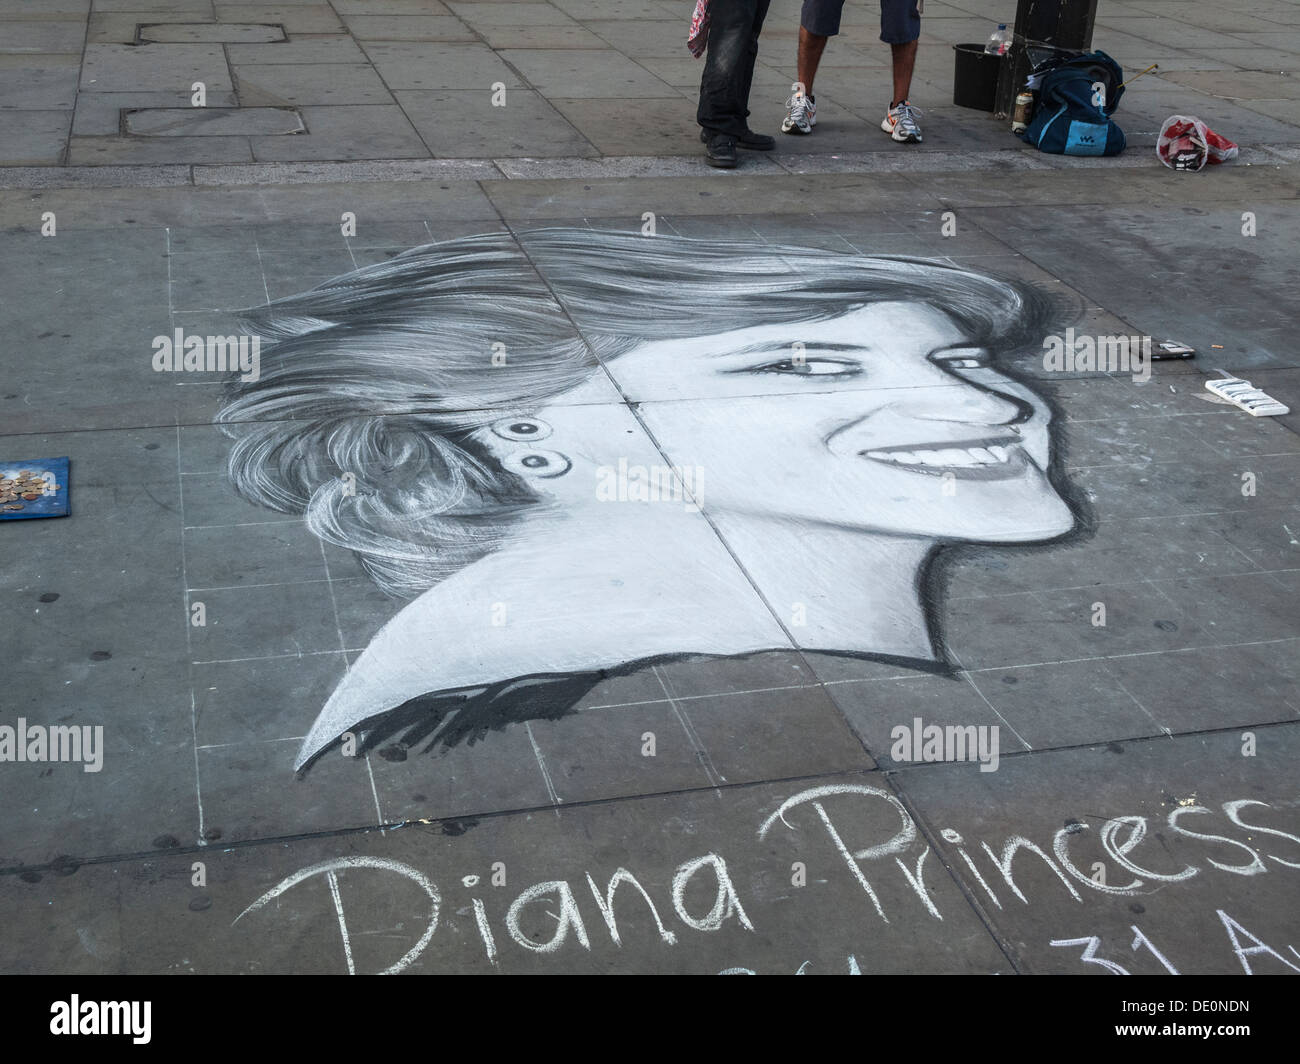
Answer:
[(571, 80)]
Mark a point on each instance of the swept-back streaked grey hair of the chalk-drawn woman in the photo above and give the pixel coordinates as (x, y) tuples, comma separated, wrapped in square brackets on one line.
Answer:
[(385, 373)]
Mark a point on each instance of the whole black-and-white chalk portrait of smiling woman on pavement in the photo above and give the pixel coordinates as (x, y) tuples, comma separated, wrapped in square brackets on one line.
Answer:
[(569, 455)]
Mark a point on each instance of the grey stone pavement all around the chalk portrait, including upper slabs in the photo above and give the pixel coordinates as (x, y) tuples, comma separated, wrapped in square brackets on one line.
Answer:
[(1158, 747)]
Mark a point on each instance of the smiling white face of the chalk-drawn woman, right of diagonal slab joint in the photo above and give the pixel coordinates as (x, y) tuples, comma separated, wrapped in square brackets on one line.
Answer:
[(883, 419)]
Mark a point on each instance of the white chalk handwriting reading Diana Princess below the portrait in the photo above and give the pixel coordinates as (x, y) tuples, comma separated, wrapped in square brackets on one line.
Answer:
[(704, 877)]
